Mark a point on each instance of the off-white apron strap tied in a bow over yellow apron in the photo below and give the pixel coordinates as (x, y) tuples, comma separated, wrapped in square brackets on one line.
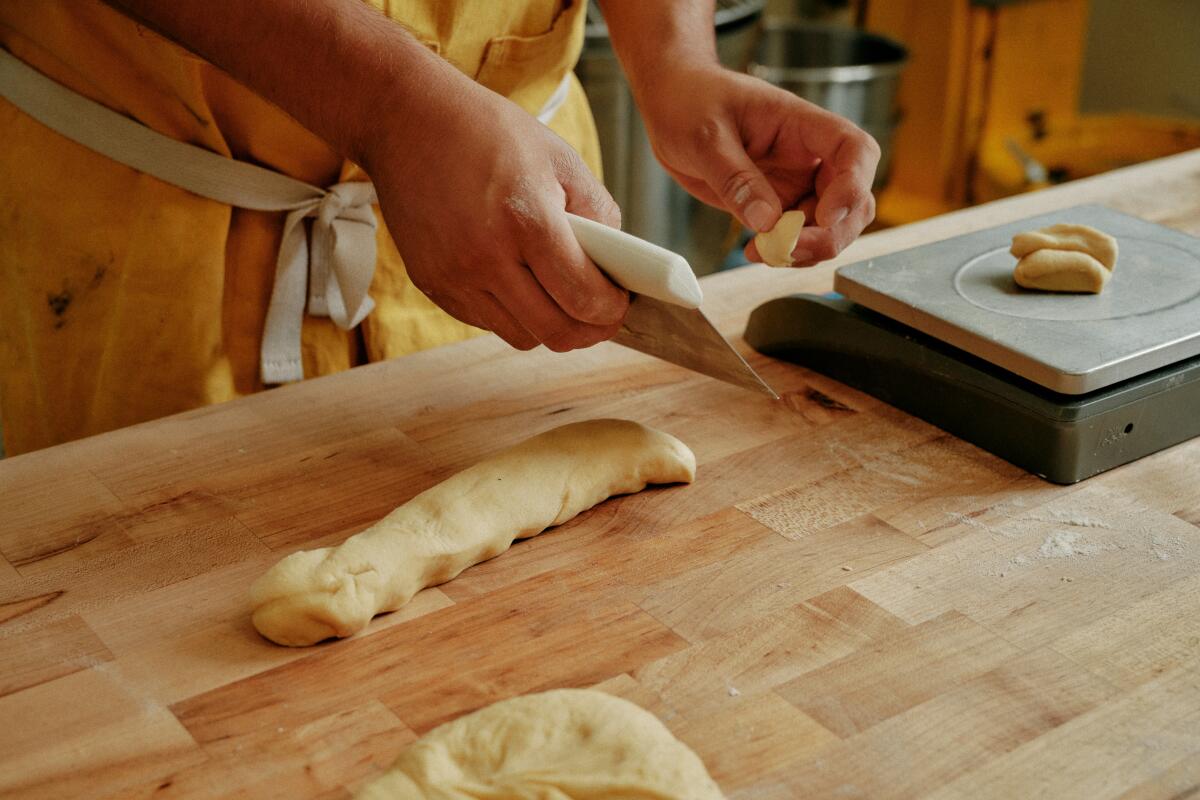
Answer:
[(332, 274)]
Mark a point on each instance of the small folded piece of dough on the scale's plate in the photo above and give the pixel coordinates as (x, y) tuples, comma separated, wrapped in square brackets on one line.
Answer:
[(1065, 258)]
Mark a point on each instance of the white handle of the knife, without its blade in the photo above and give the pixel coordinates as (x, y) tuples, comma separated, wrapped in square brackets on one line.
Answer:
[(637, 264)]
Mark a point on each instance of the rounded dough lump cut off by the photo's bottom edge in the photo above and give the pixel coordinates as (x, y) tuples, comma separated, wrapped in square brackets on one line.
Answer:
[(569, 744)]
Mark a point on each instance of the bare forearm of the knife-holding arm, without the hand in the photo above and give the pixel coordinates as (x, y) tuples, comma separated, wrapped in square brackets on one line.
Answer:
[(334, 65)]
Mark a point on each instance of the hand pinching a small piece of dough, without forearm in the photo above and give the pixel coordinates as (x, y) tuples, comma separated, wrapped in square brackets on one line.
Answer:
[(740, 143)]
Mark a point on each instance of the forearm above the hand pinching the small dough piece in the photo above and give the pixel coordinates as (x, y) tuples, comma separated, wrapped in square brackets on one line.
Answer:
[(650, 37)]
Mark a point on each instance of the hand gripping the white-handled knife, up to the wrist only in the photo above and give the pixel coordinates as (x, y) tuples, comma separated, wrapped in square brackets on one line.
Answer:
[(475, 199)]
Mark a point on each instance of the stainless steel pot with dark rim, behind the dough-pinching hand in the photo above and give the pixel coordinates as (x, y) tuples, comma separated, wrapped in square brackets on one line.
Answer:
[(847, 71)]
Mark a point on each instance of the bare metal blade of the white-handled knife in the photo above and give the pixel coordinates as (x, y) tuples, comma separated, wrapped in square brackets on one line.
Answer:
[(686, 338)]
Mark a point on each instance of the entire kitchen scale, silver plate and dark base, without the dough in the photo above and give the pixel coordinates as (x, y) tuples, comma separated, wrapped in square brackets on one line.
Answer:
[(1064, 386)]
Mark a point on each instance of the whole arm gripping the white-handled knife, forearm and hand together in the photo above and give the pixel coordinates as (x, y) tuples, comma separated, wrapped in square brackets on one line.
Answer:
[(472, 188)]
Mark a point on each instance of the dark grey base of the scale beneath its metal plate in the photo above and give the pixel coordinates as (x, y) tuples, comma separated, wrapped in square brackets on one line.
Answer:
[(1064, 438)]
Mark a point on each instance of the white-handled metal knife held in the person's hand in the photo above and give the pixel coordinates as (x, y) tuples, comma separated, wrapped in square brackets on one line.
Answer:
[(664, 317)]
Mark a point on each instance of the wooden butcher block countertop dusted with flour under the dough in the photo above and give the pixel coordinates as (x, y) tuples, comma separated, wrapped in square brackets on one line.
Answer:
[(847, 604)]
